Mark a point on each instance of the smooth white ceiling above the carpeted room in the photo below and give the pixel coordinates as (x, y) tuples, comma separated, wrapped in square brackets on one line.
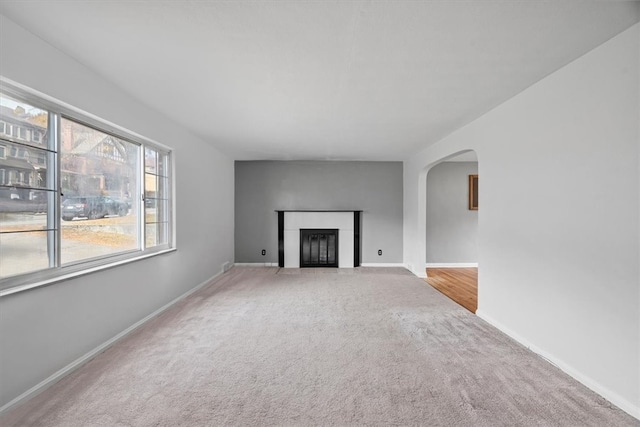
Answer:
[(370, 80)]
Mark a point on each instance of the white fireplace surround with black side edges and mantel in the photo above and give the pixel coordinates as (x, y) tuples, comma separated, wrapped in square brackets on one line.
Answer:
[(346, 223)]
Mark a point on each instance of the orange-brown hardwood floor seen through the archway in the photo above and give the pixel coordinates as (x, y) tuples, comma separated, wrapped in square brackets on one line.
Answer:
[(459, 284)]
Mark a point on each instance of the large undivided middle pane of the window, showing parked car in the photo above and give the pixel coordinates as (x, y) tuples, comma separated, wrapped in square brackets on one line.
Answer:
[(98, 176)]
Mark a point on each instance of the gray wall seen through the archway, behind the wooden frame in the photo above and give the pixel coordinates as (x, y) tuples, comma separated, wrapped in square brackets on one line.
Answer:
[(452, 229)]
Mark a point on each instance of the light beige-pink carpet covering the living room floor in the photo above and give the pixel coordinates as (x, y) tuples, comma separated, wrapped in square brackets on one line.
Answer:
[(317, 347)]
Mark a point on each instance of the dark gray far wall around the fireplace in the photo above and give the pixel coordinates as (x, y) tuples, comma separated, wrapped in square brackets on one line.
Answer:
[(261, 187)]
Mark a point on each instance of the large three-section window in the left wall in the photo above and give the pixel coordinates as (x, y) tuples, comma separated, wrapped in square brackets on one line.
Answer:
[(79, 195)]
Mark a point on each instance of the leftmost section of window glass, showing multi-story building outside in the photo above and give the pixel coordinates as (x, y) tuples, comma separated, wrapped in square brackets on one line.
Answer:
[(26, 189)]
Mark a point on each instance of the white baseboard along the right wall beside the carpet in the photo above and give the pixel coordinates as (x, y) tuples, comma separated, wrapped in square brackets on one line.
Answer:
[(627, 406)]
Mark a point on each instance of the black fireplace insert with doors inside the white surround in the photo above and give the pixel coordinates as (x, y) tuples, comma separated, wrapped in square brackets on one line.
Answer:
[(318, 247)]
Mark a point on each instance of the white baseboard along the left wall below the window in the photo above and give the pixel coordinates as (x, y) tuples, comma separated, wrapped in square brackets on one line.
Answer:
[(57, 376)]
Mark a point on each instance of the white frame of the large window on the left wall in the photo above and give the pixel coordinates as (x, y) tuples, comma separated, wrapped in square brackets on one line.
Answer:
[(57, 272)]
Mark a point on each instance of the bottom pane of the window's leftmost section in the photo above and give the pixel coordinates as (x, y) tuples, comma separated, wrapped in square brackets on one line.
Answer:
[(23, 252)]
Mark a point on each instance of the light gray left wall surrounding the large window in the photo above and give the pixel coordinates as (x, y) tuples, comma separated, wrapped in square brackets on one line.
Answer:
[(45, 329)]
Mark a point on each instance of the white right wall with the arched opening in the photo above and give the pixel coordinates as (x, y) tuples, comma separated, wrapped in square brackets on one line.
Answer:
[(558, 225)]
